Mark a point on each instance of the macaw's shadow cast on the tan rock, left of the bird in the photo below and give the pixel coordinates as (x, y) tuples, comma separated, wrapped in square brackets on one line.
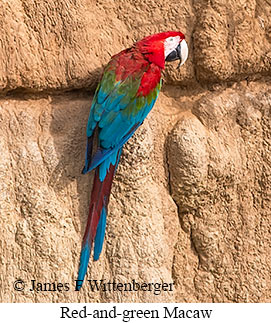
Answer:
[(68, 129)]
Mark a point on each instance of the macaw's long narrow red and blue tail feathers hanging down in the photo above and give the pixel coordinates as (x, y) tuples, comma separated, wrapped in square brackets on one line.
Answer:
[(95, 229)]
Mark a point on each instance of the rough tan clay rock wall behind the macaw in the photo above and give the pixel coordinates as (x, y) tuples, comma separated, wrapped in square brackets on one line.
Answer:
[(191, 200)]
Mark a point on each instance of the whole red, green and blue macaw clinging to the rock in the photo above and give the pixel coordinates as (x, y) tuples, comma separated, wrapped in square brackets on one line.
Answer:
[(128, 89)]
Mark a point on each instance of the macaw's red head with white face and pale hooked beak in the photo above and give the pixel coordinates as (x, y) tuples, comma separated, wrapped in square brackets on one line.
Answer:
[(167, 46)]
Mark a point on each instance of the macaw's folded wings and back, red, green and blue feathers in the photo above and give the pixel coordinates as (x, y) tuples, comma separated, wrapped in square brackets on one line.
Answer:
[(120, 105)]
